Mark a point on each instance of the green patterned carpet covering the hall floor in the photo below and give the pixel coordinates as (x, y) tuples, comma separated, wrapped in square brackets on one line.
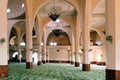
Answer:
[(18, 71)]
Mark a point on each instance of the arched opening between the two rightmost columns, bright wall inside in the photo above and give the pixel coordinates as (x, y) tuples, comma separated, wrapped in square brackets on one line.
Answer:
[(97, 54)]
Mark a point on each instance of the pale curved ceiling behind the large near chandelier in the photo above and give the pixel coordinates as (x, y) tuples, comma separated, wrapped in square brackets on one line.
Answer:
[(61, 6)]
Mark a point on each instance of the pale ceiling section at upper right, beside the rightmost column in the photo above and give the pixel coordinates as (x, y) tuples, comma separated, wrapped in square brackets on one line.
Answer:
[(98, 18)]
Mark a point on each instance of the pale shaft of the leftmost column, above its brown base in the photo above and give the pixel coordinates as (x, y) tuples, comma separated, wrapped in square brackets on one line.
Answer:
[(3, 33)]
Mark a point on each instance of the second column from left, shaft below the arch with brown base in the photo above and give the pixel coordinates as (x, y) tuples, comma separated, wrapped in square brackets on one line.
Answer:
[(29, 63)]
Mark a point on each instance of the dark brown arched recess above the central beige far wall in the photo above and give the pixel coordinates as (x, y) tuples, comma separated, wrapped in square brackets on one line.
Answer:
[(60, 40)]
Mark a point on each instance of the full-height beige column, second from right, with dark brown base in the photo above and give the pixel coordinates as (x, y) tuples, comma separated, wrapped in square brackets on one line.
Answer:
[(86, 20)]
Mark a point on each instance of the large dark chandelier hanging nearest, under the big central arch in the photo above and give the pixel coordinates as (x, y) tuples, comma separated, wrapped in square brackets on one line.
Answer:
[(54, 15)]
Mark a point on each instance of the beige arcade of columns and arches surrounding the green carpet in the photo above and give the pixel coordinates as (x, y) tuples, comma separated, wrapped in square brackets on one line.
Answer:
[(88, 32)]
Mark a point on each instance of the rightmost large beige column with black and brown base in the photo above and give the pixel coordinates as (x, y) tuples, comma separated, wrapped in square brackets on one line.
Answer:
[(113, 39)]
